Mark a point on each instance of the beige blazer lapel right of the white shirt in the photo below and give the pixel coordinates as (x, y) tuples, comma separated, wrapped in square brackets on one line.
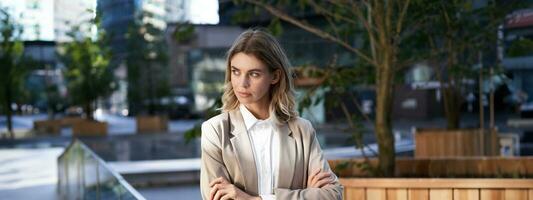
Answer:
[(287, 157)]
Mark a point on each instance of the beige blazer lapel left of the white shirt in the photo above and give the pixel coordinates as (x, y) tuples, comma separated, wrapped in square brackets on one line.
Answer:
[(243, 151)]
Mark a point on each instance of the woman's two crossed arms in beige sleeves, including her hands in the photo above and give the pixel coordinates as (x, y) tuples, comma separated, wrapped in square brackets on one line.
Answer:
[(216, 183)]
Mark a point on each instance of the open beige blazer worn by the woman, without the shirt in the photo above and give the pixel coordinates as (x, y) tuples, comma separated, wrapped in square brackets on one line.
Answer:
[(227, 152)]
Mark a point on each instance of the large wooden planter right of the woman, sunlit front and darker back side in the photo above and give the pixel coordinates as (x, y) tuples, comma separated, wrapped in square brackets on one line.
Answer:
[(364, 188)]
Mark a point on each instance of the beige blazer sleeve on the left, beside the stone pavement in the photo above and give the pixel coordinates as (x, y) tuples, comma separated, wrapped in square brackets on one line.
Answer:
[(212, 165)]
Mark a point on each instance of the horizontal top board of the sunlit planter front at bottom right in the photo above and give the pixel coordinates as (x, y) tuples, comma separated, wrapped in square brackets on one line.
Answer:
[(459, 183)]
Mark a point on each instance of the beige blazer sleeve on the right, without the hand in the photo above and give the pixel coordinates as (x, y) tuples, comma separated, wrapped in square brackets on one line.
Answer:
[(316, 160)]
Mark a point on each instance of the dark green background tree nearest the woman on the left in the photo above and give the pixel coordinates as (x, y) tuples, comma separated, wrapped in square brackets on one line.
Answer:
[(146, 60)]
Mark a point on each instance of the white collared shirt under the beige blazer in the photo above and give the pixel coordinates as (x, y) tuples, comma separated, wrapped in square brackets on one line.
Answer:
[(265, 147)]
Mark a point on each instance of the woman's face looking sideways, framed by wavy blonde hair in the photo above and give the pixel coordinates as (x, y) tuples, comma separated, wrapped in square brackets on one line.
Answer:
[(251, 79)]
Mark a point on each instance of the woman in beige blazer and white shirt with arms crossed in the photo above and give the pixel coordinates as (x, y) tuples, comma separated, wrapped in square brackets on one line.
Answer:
[(258, 148)]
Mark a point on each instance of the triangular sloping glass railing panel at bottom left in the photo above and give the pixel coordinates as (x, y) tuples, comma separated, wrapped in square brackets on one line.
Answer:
[(84, 175)]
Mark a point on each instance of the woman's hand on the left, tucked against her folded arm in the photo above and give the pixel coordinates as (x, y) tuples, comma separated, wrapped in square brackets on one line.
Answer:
[(222, 189)]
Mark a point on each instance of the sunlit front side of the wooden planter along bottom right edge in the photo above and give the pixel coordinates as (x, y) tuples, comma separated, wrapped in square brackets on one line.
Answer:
[(437, 189)]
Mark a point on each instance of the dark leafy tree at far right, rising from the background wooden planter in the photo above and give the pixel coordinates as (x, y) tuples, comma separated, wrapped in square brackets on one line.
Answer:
[(458, 34)]
